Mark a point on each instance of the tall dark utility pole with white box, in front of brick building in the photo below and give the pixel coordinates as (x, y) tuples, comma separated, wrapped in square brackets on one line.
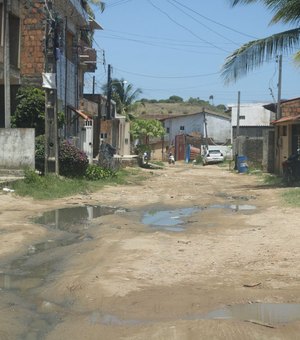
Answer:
[(51, 128)]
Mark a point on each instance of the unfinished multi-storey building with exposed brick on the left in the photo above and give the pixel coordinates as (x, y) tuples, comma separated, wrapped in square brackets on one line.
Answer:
[(30, 32)]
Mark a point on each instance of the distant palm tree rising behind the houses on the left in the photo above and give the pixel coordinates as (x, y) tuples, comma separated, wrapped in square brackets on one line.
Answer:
[(123, 94)]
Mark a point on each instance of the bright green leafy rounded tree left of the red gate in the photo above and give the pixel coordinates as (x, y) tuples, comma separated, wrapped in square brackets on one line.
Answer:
[(143, 129)]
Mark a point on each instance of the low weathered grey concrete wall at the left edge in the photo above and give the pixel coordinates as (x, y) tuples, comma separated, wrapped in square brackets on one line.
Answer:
[(17, 148)]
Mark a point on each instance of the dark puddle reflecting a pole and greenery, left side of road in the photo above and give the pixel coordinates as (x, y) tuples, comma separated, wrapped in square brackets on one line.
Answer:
[(73, 219)]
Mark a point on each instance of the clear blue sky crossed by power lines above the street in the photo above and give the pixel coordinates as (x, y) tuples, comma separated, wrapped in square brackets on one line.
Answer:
[(178, 47)]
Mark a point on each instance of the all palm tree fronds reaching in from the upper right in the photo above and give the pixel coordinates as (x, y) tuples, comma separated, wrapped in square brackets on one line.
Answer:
[(254, 53)]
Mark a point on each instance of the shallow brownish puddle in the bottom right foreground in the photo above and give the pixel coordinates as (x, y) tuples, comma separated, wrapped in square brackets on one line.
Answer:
[(266, 313)]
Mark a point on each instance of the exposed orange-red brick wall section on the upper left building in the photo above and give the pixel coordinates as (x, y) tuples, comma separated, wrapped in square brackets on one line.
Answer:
[(32, 42)]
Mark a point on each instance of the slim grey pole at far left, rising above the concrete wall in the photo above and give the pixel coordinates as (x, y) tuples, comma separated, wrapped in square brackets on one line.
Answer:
[(7, 103)]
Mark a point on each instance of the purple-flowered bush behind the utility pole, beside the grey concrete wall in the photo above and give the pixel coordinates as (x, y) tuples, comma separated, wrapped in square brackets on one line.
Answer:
[(72, 161)]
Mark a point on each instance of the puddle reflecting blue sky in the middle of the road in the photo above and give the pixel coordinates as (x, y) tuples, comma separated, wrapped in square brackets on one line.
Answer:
[(173, 220)]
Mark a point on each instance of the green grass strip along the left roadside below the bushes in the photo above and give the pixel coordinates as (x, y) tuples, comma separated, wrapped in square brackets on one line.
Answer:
[(53, 187)]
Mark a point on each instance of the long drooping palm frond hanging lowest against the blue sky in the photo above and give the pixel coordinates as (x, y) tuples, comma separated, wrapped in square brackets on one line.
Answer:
[(254, 53)]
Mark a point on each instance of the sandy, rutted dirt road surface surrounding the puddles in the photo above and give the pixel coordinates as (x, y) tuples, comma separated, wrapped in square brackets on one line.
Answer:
[(133, 281)]
